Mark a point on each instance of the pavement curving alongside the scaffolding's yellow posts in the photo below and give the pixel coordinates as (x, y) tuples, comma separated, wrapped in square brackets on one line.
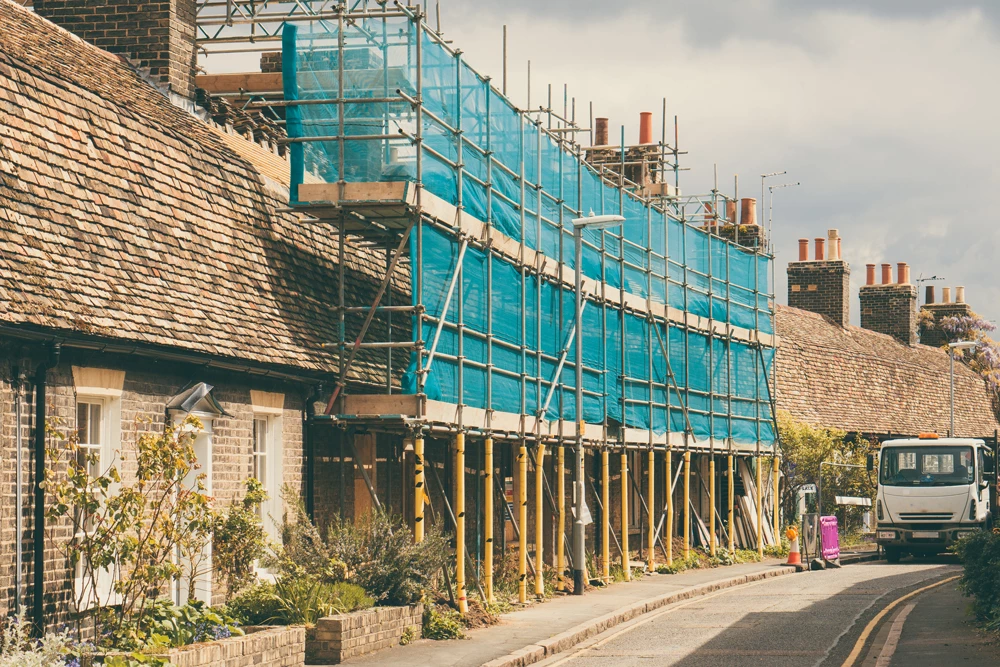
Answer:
[(531, 634)]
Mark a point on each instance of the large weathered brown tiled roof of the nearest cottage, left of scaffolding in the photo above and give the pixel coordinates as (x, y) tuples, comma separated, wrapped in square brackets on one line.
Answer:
[(124, 216)]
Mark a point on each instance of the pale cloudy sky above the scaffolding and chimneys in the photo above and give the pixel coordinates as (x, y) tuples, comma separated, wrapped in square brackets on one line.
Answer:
[(884, 111)]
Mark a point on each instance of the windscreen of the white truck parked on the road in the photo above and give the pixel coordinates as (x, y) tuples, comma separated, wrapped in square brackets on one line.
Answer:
[(927, 466)]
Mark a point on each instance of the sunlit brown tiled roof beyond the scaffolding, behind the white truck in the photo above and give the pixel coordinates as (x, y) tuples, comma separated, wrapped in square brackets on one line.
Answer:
[(858, 380)]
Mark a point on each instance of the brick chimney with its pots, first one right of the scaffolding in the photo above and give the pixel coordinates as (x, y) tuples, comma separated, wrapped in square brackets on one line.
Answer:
[(821, 285)]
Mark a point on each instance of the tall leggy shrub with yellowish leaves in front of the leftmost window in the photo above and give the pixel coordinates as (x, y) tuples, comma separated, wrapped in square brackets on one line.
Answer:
[(130, 529)]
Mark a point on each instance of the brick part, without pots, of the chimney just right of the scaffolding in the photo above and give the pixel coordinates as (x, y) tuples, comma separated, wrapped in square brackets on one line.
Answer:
[(822, 287)]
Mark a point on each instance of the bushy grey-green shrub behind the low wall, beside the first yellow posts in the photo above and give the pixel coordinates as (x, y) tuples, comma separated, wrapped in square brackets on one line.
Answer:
[(382, 558)]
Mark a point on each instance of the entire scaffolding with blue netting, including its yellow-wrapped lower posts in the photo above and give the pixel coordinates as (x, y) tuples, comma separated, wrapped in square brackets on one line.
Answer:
[(469, 199)]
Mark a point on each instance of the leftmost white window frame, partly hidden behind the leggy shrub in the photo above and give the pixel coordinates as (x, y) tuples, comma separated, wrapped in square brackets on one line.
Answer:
[(109, 398)]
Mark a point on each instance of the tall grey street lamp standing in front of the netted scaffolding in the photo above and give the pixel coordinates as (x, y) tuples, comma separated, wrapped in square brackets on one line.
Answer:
[(579, 548)]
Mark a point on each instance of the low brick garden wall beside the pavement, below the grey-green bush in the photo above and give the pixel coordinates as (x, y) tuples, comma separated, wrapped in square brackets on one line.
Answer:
[(337, 638)]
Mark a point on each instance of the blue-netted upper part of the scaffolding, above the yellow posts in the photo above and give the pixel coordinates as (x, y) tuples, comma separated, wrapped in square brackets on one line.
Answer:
[(420, 152)]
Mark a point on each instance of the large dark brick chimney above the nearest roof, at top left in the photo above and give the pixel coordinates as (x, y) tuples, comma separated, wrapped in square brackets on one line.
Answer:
[(158, 35)]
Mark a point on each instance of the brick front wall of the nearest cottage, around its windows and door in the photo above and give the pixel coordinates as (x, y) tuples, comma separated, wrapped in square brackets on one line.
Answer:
[(148, 386)]
